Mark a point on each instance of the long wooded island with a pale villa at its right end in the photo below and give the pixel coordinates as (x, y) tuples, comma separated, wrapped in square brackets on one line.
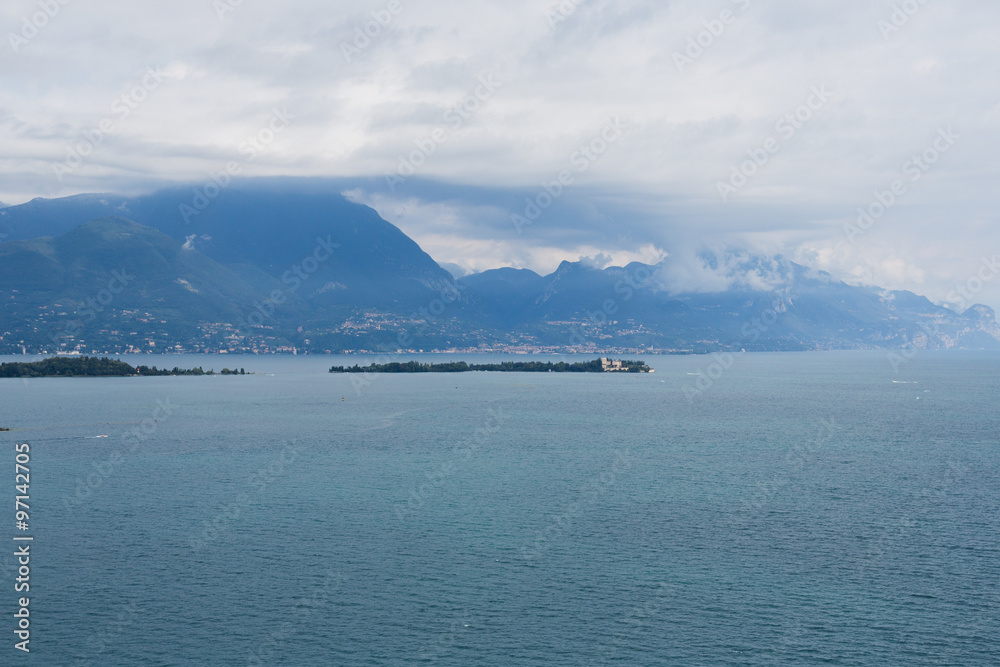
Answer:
[(602, 365)]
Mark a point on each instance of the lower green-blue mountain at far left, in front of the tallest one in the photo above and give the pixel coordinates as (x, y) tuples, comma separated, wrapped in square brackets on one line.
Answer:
[(110, 274)]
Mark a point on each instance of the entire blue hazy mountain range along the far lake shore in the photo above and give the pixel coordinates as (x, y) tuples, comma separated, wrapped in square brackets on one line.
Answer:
[(279, 267)]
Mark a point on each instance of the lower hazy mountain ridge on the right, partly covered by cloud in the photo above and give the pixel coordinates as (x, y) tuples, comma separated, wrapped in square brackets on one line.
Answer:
[(636, 306)]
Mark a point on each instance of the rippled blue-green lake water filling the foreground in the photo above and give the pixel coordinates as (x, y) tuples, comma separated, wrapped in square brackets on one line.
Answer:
[(803, 508)]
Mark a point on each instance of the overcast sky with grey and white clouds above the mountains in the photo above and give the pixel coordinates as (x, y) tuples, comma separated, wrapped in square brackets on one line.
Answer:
[(856, 137)]
